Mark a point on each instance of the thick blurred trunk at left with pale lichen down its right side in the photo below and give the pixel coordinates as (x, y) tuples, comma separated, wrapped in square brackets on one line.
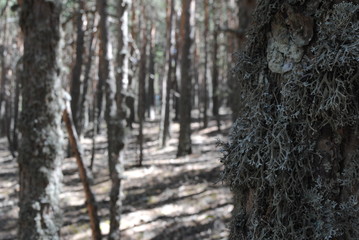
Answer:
[(40, 151)]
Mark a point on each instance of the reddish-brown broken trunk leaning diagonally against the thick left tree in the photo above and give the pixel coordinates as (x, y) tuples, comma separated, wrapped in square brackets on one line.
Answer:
[(77, 150)]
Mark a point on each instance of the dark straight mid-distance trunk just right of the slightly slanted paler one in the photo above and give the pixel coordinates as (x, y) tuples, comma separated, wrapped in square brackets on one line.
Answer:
[(184, 142)]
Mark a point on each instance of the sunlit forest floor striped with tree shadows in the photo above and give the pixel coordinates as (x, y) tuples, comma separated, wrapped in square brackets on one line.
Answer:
[(168, 198)]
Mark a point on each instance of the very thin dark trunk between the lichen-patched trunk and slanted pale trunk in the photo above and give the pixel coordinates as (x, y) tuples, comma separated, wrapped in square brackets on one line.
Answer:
[(141, 84)]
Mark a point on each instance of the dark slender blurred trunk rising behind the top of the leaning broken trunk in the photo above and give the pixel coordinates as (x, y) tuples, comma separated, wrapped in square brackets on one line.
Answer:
[(77, 69)]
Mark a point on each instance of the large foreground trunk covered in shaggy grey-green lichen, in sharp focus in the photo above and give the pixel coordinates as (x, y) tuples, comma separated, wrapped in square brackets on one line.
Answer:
[(293, 158)]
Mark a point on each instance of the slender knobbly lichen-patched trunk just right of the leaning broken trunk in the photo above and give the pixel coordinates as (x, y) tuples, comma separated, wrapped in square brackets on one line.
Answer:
[(117, 122)]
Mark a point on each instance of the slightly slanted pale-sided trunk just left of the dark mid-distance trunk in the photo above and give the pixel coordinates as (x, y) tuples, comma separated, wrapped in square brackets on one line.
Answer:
[(167, 80)]
